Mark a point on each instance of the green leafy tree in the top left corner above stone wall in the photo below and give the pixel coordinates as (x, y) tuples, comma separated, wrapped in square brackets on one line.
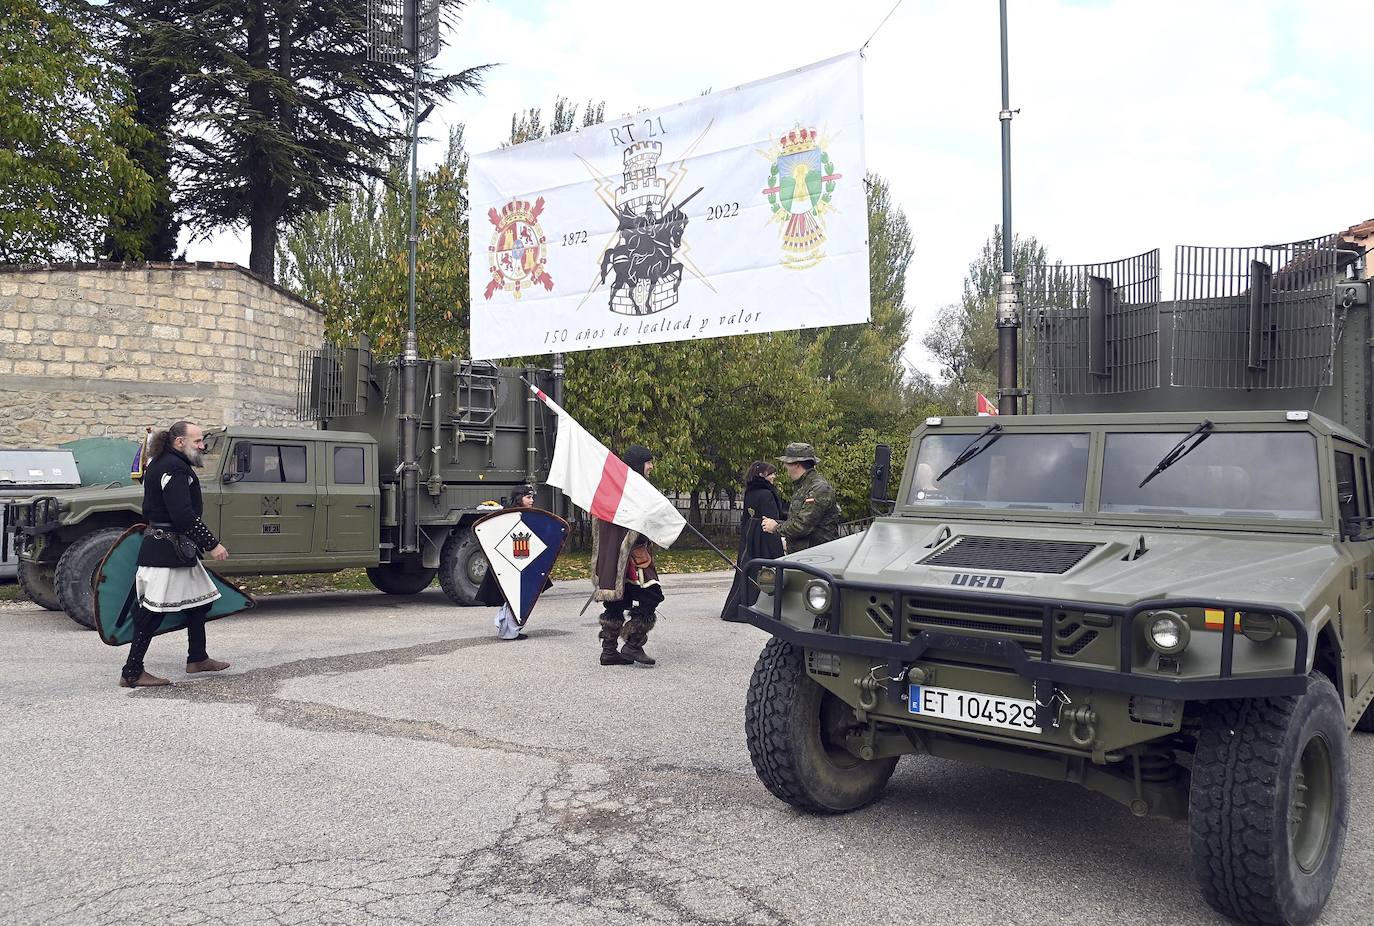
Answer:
[(67, 133)]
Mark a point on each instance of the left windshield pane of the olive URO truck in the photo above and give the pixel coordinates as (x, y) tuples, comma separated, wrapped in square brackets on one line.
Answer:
[(1015, 472)]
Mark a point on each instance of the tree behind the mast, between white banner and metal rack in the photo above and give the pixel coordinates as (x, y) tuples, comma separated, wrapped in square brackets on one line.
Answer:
[(965, 335)]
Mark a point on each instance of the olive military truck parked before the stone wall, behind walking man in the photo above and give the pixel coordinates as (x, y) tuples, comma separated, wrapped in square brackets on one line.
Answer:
[(315, 501)]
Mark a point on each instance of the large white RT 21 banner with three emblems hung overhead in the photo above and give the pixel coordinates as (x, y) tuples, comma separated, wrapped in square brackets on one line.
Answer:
[(733, 214)]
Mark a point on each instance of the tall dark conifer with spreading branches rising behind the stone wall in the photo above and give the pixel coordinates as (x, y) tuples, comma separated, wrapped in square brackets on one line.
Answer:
[(280, 108)]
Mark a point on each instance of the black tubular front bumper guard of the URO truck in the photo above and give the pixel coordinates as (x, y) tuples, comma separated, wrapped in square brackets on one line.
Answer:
[(902, 651)]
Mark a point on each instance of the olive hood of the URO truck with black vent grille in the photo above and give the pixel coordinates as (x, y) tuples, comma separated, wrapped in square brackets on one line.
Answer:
[(1283, 569)]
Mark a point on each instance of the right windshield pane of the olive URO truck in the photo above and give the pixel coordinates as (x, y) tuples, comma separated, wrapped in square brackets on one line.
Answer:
[(1233, 475)]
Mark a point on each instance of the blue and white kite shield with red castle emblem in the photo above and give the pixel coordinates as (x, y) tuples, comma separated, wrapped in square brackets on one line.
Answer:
[(521, 547)]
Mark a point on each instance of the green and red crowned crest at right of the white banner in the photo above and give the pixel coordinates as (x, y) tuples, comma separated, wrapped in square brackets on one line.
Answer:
[(800, 186)]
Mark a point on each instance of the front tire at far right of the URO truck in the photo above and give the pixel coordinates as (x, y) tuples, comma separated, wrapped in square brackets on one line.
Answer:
[(1269, 804)]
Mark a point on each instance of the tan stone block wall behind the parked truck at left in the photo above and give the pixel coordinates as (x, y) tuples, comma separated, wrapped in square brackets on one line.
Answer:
[(108, 350)]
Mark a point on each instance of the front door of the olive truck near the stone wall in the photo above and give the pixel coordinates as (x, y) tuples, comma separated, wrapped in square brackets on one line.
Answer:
[(271, 509)]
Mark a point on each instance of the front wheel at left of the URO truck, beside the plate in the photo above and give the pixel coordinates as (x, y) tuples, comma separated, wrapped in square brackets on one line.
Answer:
[(796, 733)]
